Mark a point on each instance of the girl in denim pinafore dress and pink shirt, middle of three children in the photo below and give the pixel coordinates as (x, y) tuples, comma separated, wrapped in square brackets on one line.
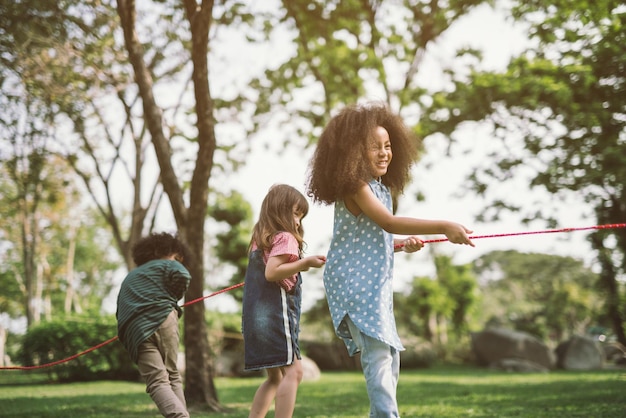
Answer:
[(272, 299)]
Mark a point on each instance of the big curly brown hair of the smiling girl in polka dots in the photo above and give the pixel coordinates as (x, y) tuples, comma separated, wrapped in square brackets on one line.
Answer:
[(340, 163)]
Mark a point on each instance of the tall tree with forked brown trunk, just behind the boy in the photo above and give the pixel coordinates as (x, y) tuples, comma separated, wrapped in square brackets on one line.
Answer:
[(343, 52)]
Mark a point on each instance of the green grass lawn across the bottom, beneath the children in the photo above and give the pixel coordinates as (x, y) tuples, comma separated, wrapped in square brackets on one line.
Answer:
[(438, 392)]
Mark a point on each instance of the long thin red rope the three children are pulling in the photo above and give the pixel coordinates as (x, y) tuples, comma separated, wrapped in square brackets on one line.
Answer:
[(227, 289)]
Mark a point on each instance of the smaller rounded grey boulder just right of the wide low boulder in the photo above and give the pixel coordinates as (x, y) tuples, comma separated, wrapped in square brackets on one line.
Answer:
[(580, 353)]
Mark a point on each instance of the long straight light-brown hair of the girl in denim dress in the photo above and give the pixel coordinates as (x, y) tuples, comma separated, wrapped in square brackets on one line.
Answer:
[(277, 216)]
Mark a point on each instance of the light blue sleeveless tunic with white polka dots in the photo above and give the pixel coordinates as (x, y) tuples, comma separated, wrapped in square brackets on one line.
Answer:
[(358, 274)]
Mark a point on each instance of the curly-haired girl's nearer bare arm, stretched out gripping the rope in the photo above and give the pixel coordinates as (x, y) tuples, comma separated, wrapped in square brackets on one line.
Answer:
[(366, 202)]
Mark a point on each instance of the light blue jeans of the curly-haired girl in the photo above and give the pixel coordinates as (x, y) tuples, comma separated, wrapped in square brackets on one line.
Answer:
[(381, 367)]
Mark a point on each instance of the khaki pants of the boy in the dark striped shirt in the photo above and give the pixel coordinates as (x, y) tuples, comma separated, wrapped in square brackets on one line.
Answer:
[(157, 367)]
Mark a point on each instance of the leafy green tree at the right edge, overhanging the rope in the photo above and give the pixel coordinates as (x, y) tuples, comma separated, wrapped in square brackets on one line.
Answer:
[(566, 99)]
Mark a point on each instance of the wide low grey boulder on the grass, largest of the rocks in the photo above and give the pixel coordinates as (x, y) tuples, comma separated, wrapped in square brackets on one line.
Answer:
[(493, 345)]
